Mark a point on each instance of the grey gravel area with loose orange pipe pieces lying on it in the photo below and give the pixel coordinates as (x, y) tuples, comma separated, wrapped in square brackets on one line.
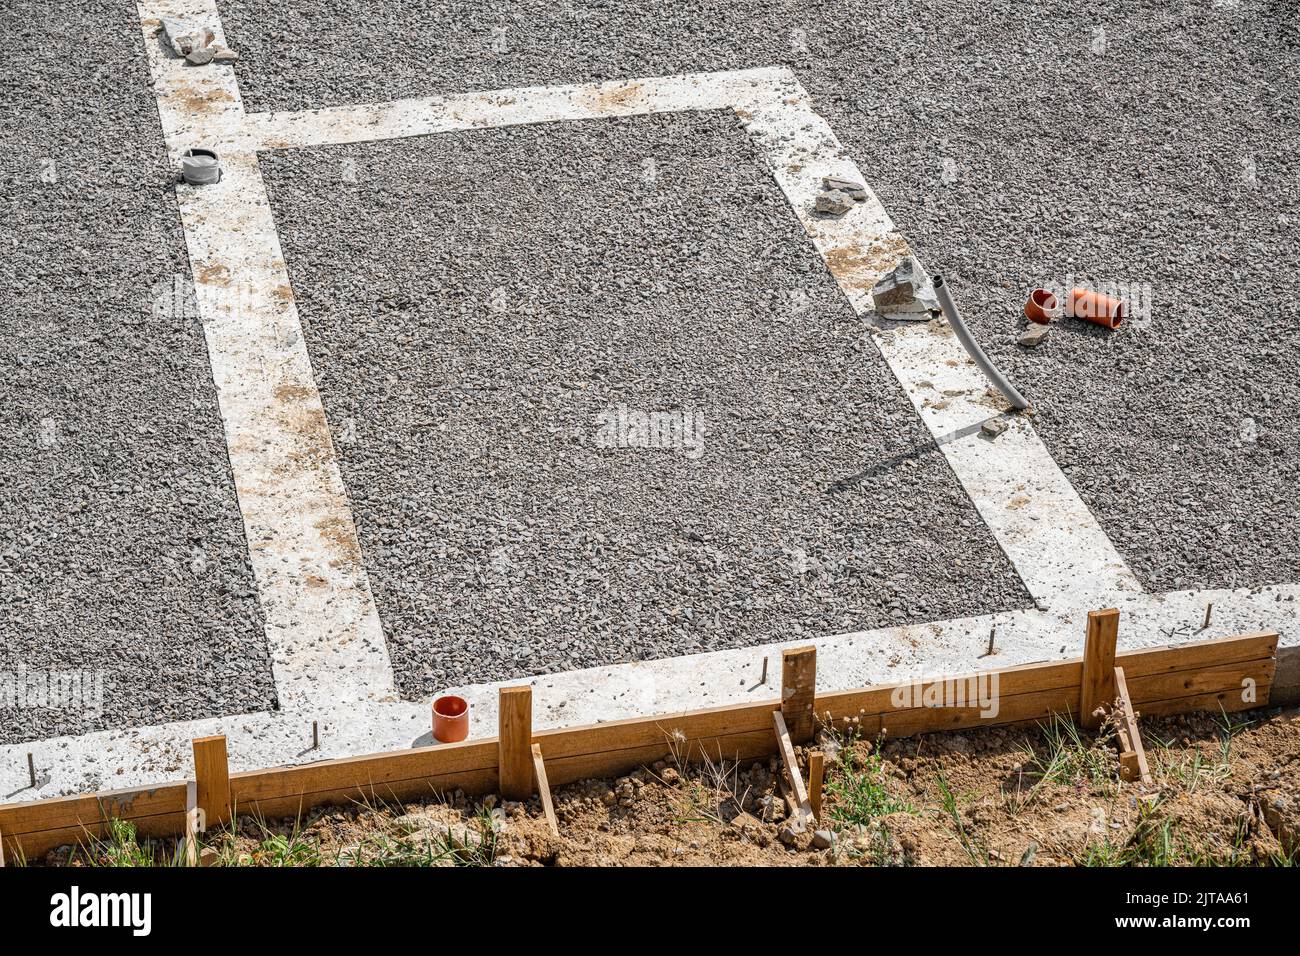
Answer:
[(1137, 142)]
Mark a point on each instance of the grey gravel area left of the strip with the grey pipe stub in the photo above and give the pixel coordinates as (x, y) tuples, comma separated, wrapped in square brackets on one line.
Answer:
[(122, 544)]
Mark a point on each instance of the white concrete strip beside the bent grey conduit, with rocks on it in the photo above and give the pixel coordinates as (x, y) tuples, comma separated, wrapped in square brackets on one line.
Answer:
[(1048, 534)]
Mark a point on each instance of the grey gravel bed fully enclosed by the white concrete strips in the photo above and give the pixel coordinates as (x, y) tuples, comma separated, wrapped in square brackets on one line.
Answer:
[(475, 302)]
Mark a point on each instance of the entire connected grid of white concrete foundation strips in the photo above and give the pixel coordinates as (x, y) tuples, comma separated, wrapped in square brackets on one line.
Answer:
[(330, 657)]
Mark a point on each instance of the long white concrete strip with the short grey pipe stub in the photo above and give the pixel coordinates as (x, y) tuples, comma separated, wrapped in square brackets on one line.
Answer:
[(323, 628)]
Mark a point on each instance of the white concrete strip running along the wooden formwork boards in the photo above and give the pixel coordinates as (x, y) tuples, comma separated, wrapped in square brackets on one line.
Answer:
[(115, 760)]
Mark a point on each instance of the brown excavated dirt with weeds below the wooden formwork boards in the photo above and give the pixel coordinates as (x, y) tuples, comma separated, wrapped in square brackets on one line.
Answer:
[(1224, 791)]
